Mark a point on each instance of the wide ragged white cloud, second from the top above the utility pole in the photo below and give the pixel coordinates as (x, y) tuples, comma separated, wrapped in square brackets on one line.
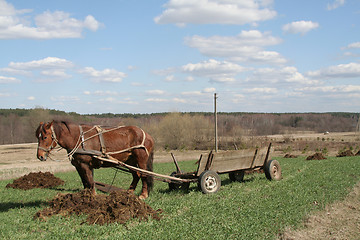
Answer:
[(247, 46)]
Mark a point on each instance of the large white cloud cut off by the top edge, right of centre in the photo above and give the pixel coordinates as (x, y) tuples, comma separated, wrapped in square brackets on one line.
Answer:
[(182, 12)]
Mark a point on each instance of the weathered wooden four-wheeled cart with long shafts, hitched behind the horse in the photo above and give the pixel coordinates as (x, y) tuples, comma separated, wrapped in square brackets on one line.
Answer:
[(234, 163)]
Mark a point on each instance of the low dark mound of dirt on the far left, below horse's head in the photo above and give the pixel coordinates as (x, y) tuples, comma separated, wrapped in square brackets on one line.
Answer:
[(36, 180)]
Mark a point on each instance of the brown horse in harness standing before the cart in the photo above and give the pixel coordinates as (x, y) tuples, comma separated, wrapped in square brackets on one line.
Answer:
[(83, 142)]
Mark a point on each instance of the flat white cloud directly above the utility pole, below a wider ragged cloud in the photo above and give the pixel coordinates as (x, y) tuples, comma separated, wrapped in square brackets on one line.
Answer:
[(215, 70)]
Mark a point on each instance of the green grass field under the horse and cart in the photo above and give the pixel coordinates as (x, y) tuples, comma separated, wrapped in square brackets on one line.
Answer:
[(254, 209)]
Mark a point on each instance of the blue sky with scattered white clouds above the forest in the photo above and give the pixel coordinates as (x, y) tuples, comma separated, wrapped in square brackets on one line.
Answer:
[(159, 56)]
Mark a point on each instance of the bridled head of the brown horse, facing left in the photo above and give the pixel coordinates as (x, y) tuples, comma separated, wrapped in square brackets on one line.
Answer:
[(46, 140)]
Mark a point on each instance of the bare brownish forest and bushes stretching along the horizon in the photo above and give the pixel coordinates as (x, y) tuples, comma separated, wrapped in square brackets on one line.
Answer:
[(193, 130)]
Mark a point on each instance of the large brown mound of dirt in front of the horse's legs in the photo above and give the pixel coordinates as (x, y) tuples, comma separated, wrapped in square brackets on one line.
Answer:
[(119, 206)]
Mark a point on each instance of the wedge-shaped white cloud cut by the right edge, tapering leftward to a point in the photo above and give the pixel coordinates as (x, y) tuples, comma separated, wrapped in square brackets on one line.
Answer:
[(349, 70)]
